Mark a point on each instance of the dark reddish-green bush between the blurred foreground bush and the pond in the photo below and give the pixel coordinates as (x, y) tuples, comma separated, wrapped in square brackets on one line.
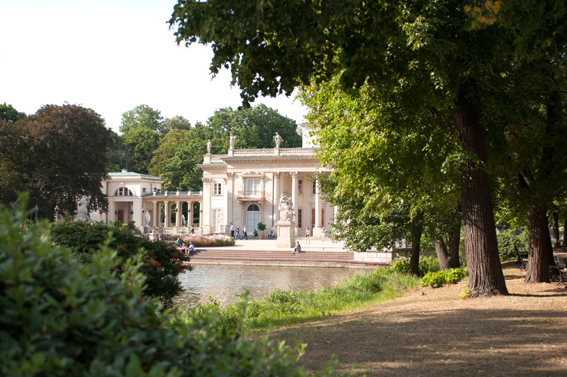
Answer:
[(162, 263)]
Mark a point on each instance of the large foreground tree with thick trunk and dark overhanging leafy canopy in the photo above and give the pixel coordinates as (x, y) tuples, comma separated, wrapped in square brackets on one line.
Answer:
[(273, 47)]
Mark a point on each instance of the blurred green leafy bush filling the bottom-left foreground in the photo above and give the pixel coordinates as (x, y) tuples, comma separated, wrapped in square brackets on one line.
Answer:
[(62, 317)]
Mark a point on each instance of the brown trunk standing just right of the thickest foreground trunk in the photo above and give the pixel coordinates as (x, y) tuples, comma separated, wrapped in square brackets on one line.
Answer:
[(538, 241)]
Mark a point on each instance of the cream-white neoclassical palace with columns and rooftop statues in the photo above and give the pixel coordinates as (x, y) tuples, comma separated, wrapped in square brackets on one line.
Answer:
[(242, 187)]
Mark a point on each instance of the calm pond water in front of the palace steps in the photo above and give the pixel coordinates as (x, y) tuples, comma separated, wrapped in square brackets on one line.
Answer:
[(223, 282)]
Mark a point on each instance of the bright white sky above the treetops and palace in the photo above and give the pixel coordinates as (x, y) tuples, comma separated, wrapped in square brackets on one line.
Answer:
[(111, 56)]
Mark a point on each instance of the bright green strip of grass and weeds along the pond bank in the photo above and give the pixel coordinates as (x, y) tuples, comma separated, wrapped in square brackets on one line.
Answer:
[(283, 308)]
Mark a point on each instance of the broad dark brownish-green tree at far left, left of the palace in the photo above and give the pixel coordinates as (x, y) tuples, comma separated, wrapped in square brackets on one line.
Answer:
[(57, 155)]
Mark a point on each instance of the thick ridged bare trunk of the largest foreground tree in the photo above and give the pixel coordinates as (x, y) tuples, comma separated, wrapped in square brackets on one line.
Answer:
[(485, 270)]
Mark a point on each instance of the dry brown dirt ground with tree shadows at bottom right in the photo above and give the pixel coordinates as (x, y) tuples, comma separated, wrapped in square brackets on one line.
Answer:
[(431, 332)]
